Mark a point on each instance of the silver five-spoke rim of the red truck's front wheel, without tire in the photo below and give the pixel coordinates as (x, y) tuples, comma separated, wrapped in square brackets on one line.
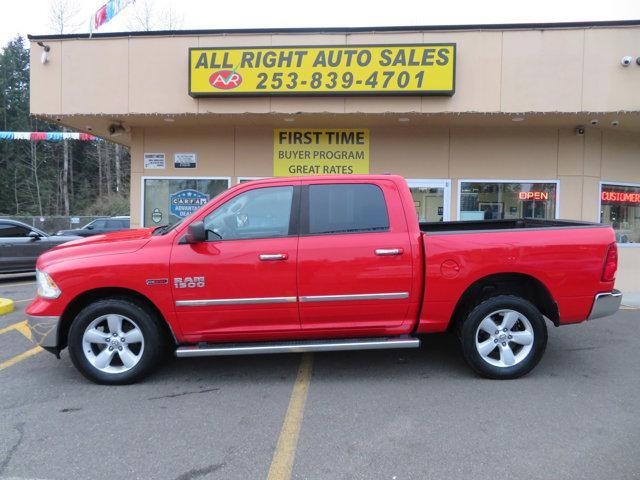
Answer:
[(113, 343)]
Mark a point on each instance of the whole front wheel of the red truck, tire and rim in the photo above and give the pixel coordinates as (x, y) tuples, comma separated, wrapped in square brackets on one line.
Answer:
[(114, 342)]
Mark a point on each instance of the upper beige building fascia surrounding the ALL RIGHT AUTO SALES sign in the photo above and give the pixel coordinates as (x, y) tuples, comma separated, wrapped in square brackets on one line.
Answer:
[(553, 70)]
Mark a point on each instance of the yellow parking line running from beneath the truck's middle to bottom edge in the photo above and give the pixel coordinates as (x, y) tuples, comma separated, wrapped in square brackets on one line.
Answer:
[(284, 455)]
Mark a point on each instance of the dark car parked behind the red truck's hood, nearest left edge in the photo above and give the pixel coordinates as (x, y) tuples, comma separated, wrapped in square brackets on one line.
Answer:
[(22, 244)]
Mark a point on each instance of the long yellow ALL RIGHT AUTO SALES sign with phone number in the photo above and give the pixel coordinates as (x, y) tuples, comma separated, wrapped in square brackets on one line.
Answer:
[(424, 69)]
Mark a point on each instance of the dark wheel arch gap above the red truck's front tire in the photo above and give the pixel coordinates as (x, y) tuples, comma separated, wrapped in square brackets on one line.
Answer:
[(85, 298)]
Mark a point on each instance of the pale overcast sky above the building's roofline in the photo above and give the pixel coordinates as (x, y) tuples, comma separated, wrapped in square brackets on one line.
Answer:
[(22, 17)]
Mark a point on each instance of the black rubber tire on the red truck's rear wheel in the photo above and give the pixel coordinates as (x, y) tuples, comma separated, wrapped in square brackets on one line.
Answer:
[(470, 330)]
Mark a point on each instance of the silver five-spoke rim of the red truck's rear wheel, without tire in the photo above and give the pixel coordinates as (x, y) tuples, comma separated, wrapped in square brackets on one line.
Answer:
[(504, 338)]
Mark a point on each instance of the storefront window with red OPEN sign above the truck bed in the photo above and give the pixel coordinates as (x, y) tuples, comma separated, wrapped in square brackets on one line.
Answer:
[(497, 200)]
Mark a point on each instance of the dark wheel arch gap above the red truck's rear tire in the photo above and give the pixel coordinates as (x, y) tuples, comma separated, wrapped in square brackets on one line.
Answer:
[(508, 283)]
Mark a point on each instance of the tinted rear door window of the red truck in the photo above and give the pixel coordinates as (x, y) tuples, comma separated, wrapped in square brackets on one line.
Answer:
[(346, 208)]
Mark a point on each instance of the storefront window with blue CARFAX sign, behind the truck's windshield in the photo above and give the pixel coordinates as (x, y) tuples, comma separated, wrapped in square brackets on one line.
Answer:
[(169, 200)]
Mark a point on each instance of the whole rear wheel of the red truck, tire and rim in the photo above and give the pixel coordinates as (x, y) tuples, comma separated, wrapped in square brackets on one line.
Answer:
[(504, 337)]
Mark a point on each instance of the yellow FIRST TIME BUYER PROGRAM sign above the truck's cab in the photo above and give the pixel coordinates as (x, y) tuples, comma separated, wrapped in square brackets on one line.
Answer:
[(301, 151)]
